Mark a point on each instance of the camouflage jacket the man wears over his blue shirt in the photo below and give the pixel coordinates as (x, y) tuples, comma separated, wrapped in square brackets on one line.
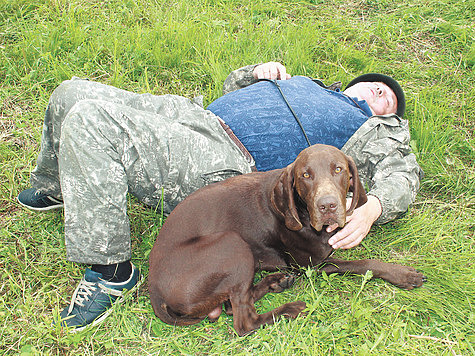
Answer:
[(381, 151)]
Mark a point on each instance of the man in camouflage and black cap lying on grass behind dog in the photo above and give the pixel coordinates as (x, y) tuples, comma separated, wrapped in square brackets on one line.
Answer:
[(100, 143)]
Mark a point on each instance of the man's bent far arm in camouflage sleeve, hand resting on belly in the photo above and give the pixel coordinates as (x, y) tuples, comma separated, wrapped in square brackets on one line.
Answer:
[(250, 74)]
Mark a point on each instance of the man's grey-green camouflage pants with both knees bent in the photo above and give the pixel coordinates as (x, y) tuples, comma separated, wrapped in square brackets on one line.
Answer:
[(100, 143)]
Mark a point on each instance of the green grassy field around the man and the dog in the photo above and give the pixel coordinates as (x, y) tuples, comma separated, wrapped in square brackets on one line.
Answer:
[(188, 48)]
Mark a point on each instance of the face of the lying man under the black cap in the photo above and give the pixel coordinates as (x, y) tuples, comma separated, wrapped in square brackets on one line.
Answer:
[(380, 98)]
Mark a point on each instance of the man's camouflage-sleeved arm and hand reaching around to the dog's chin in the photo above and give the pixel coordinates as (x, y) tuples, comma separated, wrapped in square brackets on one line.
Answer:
[(392, 174)]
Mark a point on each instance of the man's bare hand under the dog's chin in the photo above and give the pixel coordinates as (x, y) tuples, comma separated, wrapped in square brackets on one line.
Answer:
[(357, 226)]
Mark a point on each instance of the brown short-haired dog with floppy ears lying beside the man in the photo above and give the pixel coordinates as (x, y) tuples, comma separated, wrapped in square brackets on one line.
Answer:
[(212, 244)]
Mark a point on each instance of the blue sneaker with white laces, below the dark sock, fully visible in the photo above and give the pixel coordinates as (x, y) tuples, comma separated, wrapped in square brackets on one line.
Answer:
[(93, 298)]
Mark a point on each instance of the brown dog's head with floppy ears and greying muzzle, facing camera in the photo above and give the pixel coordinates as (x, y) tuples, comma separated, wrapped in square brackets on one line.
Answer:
[(321, 176)]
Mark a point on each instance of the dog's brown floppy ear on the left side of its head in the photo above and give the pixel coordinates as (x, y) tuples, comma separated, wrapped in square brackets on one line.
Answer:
[(282, 198)]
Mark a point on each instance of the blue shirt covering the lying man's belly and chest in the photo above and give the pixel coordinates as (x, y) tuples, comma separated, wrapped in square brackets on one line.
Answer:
[(262, 121)]
